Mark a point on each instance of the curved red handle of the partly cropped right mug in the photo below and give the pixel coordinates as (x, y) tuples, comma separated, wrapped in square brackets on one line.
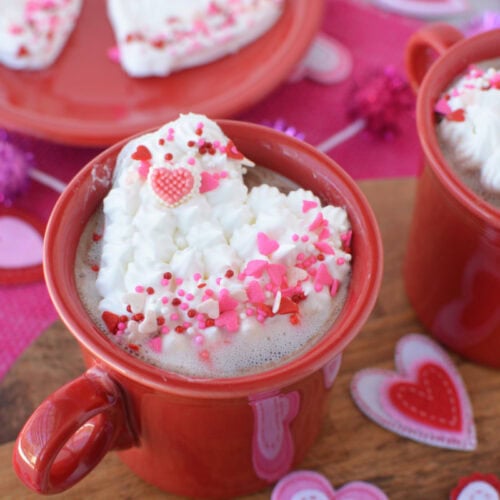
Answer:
[(422, 47)]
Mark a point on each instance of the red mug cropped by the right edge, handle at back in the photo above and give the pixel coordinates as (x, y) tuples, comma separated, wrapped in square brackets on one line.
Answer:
[(452, 265)]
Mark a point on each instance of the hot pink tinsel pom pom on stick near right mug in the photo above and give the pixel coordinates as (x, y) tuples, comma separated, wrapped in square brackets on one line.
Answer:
[(384, 100)]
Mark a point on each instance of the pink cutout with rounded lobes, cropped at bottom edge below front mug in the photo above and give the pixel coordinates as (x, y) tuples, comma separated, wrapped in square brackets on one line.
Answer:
[(307, 485)]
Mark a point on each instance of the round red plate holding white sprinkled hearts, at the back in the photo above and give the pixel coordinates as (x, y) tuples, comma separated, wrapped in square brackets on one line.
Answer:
[(86, 99)]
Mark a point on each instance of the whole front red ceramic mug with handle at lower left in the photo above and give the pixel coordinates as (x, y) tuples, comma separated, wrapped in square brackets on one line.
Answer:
[(213, 438)]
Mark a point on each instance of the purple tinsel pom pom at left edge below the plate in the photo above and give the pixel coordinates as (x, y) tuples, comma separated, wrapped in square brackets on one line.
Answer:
[(14, 169)]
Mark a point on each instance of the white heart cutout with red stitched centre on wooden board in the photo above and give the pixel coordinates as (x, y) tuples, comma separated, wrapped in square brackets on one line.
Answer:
[(439, 412)]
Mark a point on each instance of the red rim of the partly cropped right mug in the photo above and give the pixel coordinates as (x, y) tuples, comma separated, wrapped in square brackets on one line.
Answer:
[(440, 76)]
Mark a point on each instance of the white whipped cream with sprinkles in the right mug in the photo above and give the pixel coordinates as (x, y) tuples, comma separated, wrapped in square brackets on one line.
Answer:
[(470, 129)]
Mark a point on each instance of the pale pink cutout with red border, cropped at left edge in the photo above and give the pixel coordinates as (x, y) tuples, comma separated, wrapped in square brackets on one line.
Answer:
[(21, 243)]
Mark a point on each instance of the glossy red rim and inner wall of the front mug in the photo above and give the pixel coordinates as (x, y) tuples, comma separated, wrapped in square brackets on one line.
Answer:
[(286, 155)]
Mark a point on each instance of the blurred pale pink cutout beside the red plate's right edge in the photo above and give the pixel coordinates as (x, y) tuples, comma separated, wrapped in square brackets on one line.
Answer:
[(327, 62)]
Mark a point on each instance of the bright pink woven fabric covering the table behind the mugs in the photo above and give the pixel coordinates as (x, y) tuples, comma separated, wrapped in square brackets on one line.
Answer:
[(375, 39)]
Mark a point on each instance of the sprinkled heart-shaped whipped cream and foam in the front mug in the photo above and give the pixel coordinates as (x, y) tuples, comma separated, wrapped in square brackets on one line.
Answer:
[(201, 275)]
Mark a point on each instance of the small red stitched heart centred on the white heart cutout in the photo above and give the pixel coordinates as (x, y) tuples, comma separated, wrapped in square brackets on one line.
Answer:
[(432, 400)]
